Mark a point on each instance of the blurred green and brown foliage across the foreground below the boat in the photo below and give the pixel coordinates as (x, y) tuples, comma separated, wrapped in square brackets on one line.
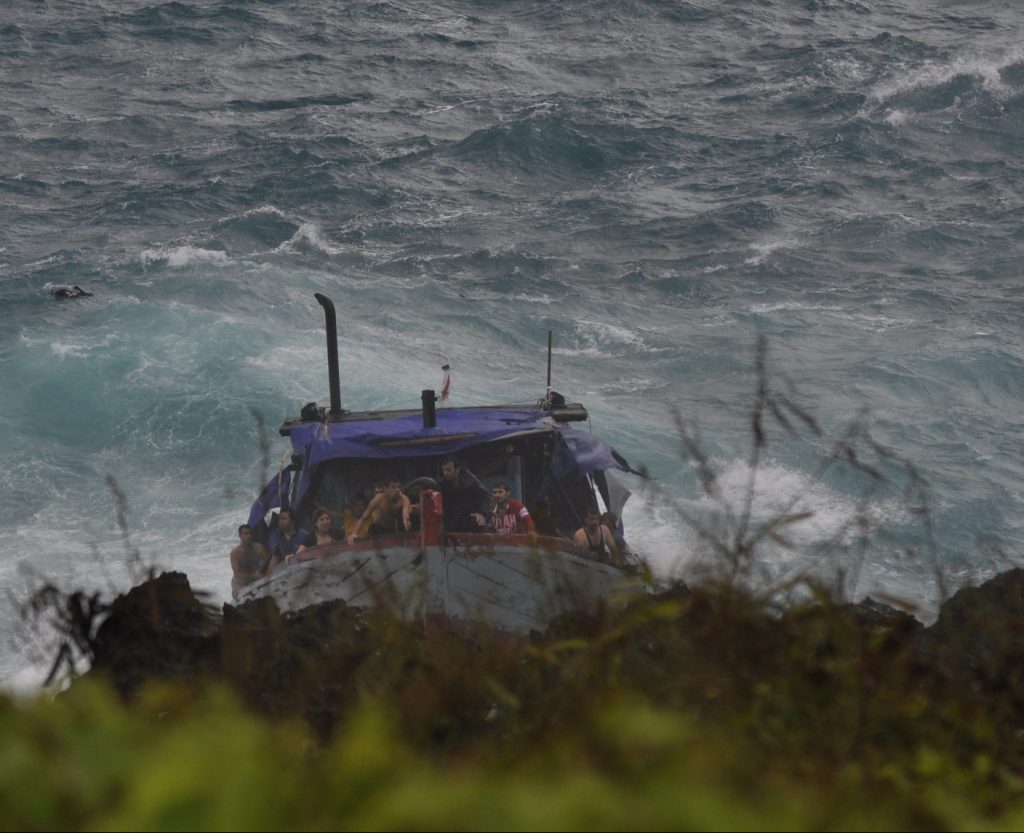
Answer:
[(690, 711)]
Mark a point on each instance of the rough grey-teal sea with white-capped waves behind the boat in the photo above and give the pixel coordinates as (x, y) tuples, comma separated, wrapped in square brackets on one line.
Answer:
[(660, 184)]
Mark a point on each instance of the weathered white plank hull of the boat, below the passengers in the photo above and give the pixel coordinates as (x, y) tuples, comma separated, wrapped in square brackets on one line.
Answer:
[(506, 582)]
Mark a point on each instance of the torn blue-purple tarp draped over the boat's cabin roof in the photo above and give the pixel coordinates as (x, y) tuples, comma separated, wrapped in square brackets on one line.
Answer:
[(581, 453)]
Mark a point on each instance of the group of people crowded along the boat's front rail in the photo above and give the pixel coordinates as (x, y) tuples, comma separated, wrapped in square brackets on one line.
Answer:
[(468, 508)]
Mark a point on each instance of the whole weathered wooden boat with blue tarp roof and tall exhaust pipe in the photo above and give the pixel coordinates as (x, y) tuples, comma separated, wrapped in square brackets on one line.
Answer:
[(514, 582)]
